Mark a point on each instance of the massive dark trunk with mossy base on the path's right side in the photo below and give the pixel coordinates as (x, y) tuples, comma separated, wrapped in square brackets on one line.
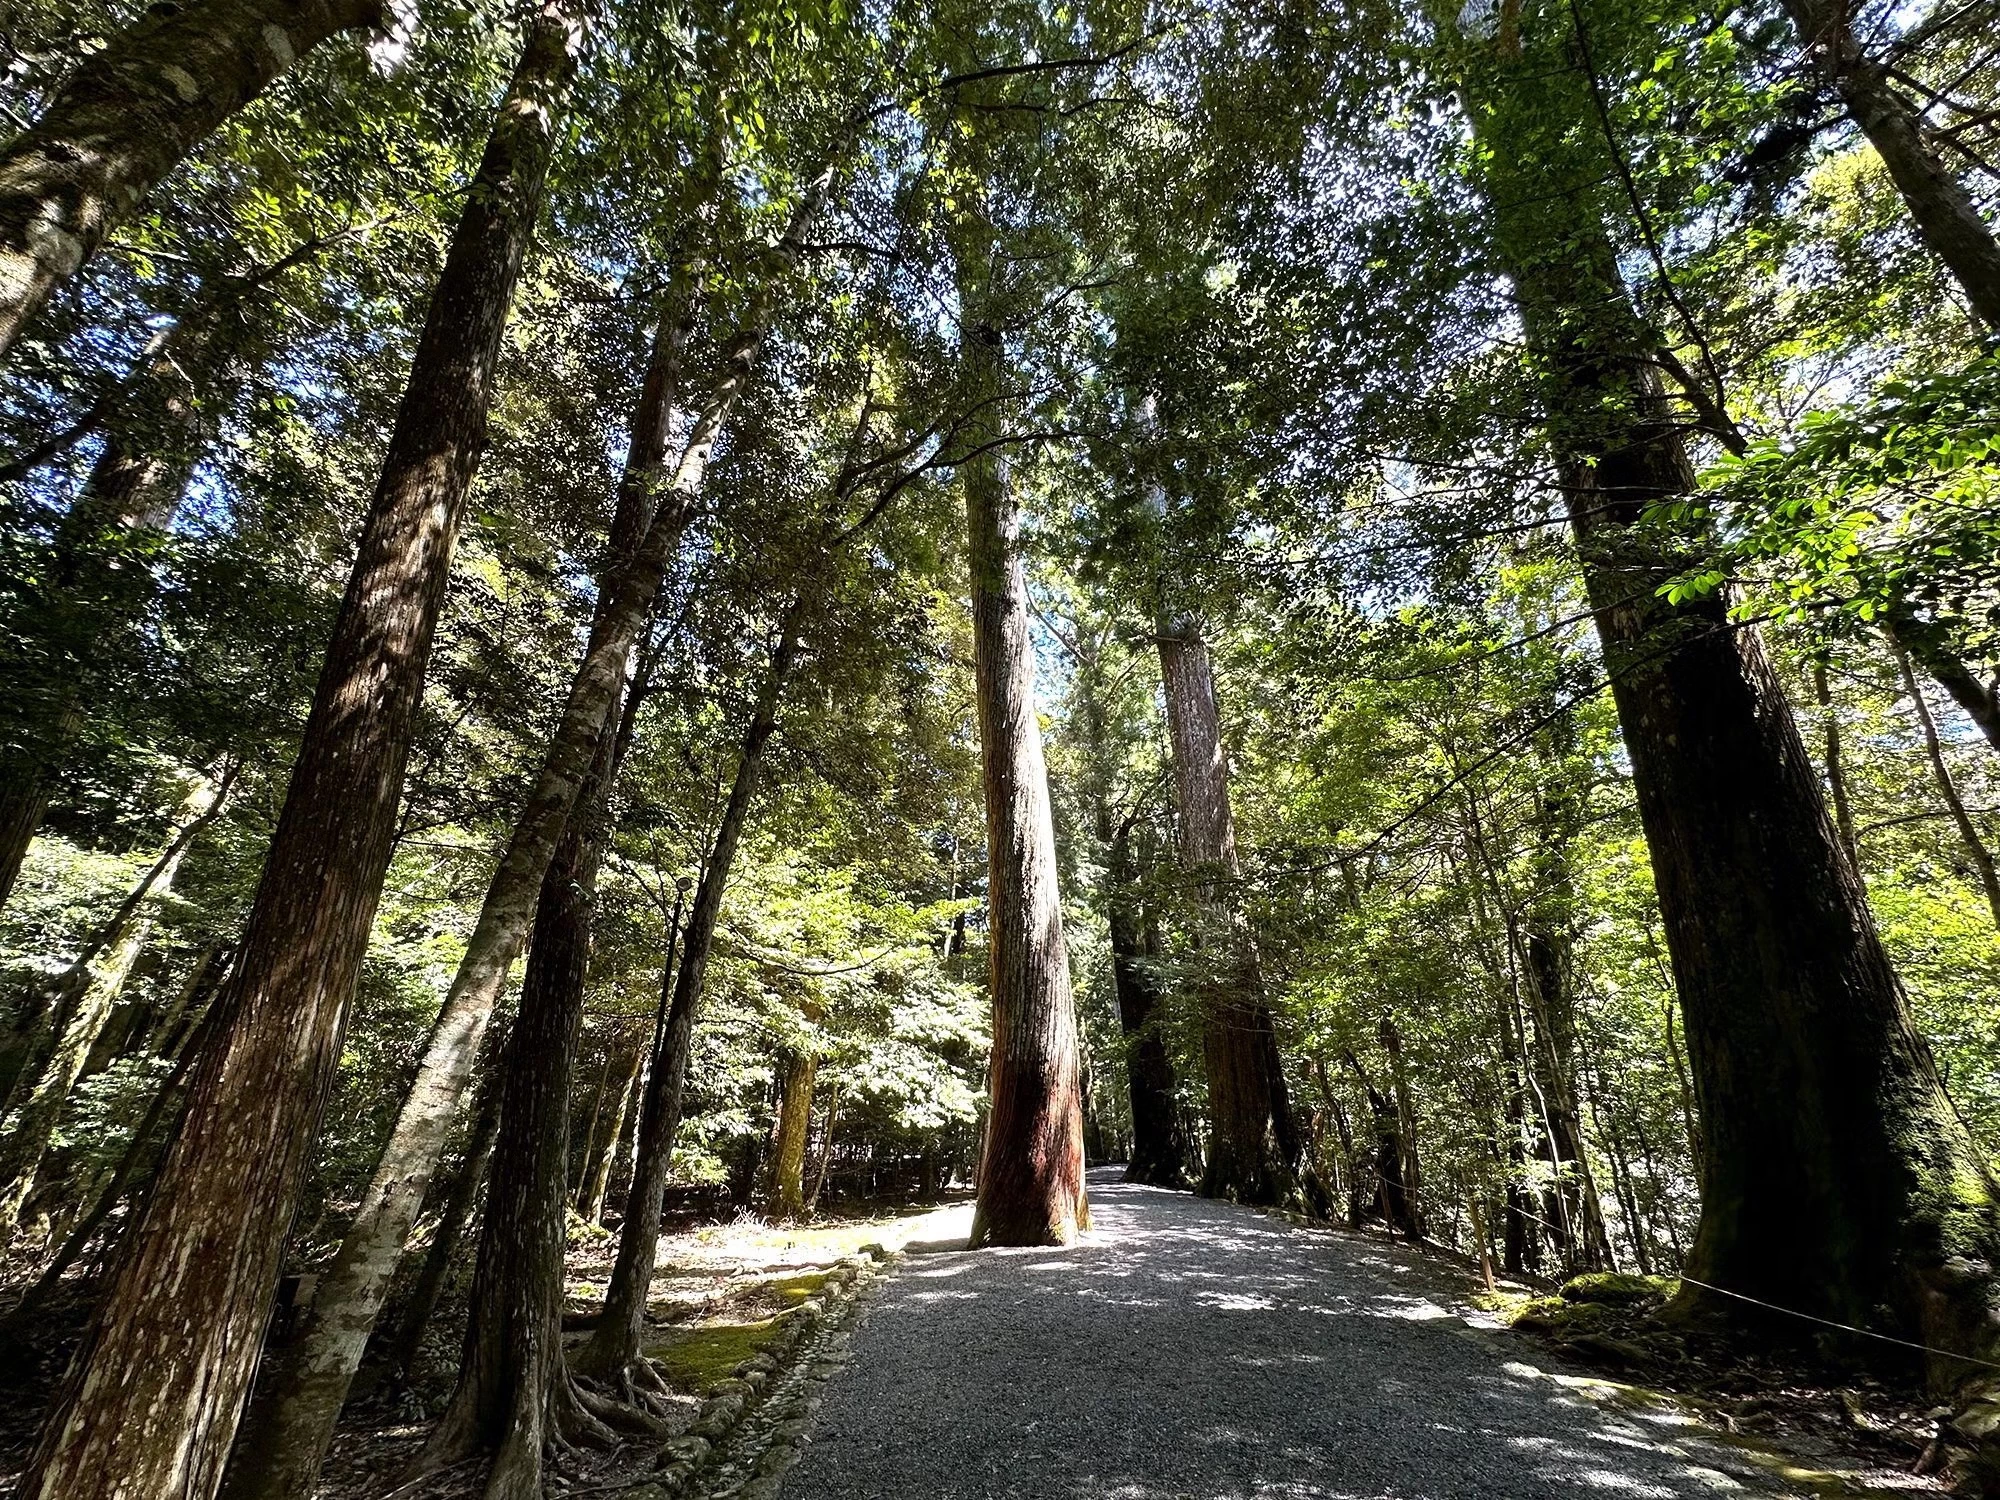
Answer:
[(1837, 1177)]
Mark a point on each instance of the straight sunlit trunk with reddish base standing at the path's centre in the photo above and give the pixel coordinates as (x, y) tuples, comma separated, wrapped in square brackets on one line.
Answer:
[(1033, 1165)]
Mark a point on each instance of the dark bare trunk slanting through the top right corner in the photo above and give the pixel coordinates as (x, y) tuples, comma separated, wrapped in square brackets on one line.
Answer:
[(1947, 217)]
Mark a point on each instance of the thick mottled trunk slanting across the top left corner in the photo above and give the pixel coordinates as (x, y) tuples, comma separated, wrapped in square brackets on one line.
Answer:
[(127, 119)]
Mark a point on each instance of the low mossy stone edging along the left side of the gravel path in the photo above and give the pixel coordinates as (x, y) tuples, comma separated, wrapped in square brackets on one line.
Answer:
[(757, 1423)]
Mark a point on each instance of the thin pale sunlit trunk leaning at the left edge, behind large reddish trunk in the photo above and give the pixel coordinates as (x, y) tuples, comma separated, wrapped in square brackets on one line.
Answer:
[(27, 1131)]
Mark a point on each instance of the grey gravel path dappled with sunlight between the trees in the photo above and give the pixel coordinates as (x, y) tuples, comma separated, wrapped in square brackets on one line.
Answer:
[(1197, 1351)]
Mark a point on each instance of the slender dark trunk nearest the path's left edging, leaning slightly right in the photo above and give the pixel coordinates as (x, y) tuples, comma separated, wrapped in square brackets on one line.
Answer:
[(615, 1349)]
